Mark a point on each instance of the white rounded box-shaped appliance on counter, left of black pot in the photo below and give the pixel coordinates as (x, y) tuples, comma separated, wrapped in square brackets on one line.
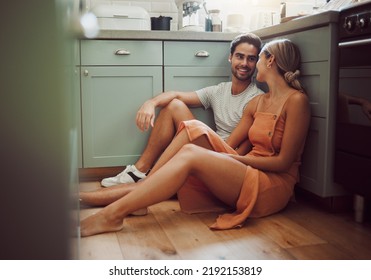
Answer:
[(120, 17)]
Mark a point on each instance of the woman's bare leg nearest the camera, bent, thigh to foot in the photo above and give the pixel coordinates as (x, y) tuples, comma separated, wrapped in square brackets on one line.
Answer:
[(212, 168)]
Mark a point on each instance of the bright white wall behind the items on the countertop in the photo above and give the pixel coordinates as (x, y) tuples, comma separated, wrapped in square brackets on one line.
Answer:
[(257, 13)]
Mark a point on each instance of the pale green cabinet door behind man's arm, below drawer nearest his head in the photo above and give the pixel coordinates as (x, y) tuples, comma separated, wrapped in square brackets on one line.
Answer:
[(194, 78)]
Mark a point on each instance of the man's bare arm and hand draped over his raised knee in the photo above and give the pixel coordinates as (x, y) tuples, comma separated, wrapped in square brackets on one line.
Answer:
[(146, 113)]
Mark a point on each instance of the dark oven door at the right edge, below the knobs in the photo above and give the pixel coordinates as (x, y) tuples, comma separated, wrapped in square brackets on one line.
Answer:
[(353, 125)]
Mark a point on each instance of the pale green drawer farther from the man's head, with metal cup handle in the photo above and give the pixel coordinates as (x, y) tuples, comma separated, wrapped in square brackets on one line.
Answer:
[(121, 52)]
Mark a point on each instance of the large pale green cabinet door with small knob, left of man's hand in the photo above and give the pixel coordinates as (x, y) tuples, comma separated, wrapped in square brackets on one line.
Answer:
[(111, 97)]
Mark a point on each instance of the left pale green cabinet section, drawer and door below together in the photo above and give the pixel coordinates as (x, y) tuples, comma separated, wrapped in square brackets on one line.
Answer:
[(116, 78)]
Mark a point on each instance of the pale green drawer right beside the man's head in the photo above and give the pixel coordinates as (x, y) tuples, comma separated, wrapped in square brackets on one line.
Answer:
[(196, 54)]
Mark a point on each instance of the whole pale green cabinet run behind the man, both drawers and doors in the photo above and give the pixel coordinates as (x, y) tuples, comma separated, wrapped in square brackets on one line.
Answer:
[(118, 76)]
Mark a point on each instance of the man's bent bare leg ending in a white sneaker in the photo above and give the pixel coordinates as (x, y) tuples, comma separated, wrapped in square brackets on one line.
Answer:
[(163, 132)]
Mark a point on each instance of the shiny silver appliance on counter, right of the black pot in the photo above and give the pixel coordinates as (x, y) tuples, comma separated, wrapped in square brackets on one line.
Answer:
[(191, 15)]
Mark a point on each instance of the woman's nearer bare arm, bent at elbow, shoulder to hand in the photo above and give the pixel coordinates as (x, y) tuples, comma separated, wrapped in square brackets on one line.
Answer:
[(296, 127)]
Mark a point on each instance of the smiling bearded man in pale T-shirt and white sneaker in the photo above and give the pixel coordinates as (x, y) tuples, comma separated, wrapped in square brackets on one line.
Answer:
[(227, 101)]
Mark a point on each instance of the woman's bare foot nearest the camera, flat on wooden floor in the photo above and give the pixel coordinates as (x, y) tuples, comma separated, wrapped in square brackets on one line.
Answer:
[(98, 223)]
